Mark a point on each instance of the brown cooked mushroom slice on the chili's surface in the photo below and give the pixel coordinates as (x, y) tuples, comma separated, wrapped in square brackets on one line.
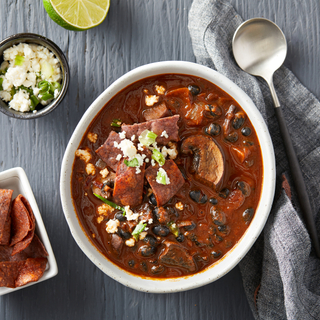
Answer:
[(208, 161)]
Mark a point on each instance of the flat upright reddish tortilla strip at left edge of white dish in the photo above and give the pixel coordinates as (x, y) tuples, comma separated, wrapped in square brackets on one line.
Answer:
[(5, 218)]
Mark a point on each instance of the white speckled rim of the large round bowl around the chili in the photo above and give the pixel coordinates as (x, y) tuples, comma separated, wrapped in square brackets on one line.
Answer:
[(233, 257)]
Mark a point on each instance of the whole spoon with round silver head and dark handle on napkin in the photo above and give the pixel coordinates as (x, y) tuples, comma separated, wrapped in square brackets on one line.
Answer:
[(260, 48)]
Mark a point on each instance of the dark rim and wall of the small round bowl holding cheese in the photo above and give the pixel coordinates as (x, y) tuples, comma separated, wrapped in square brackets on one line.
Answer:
[(46, 42)]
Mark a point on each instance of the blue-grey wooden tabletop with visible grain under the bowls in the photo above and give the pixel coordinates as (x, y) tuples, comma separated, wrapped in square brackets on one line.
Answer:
[(134, 33)]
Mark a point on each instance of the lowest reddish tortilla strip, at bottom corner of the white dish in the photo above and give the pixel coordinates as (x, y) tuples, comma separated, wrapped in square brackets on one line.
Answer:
[(32, 271)]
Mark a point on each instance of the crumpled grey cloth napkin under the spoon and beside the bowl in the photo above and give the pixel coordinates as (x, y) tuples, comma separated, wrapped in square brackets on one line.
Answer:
[(281, 274)]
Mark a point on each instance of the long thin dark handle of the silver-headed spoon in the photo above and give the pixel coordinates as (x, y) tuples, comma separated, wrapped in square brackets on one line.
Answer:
[(298, 181)]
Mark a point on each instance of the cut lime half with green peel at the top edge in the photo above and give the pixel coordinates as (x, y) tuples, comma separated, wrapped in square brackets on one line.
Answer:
[(77, 15)]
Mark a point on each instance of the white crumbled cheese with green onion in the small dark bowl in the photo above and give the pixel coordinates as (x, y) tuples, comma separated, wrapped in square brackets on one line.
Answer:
[(30, 76)]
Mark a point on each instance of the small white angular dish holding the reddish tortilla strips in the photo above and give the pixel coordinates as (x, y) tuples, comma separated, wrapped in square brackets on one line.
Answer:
[(16, 179)]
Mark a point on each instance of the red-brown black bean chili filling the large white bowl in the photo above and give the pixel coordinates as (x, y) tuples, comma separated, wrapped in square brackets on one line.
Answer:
[(218, 157)]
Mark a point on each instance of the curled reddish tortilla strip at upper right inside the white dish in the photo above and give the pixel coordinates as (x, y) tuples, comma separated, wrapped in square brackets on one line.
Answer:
[(20, 221)]
